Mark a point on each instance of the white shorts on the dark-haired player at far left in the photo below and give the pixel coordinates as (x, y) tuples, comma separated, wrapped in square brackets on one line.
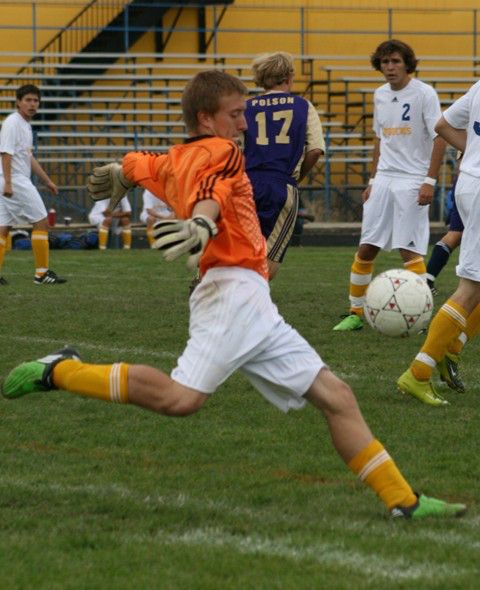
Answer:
[(25, 206)]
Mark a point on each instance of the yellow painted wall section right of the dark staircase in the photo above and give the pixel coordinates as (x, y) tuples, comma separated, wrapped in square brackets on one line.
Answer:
[(428, 31)]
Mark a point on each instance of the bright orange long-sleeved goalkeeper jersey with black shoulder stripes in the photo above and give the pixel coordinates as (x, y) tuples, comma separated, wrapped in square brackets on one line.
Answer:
[(207, 168)]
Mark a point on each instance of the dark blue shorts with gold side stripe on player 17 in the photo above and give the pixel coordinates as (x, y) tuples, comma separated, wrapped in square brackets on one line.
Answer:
[(276, 202)]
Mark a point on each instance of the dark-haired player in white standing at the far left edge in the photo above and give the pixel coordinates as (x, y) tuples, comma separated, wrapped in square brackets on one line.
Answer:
[(20, 201)]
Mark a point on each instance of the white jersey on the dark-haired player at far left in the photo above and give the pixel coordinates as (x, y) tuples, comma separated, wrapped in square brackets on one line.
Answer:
[(16, 139)]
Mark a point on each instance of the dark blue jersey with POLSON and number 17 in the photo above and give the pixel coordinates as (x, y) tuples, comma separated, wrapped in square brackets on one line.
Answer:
[(275, 139)]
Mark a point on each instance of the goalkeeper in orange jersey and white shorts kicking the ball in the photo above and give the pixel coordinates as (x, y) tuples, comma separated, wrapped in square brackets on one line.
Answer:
[(234, 324)]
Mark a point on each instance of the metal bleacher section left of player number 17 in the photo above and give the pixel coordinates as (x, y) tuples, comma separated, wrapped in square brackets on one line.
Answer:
[(87, 119)]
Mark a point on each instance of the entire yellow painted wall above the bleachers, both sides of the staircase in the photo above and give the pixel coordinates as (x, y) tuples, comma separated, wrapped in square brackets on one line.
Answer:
[(267, 25)]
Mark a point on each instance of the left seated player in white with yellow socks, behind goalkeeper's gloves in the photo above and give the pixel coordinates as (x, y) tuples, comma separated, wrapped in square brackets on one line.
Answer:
[(116, 221)]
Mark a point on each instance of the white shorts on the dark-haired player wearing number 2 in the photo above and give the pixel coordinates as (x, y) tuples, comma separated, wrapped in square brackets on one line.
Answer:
[(392, 218)]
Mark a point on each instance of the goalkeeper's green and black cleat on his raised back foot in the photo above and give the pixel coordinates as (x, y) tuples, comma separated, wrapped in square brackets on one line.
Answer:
[(35, 375)]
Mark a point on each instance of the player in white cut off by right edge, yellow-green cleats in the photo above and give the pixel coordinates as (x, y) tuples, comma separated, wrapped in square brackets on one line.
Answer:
[(459, 317)]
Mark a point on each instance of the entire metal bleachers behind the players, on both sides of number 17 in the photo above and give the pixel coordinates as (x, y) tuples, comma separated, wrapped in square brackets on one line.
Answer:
[(103, 110)]
